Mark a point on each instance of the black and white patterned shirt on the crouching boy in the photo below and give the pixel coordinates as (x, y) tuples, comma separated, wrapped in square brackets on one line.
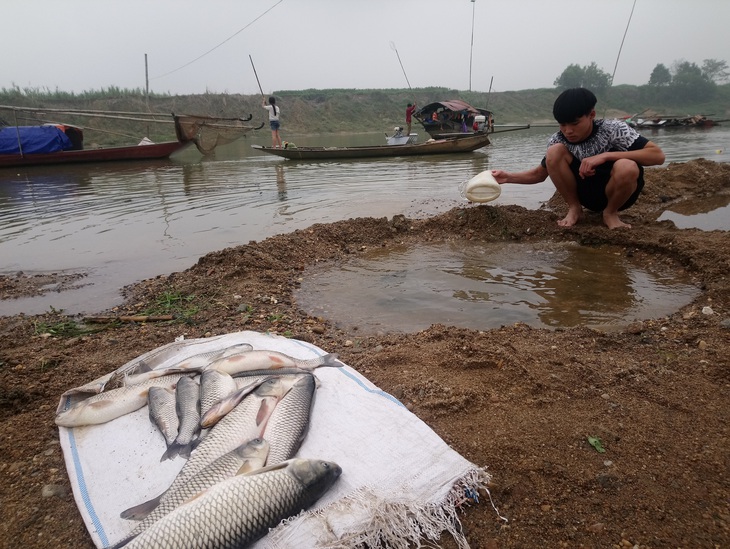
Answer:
[(607, 135)]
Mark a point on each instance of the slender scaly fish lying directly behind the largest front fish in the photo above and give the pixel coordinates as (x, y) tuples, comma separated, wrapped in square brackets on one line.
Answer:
[(246, 458)]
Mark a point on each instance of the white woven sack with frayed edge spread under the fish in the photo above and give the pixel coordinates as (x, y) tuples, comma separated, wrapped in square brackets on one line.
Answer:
[(400, 483)]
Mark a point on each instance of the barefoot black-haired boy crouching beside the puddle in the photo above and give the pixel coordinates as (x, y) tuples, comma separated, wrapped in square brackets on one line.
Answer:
[(596, 164)]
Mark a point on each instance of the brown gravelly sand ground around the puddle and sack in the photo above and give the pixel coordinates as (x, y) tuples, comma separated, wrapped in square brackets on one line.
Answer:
[(519, 400)]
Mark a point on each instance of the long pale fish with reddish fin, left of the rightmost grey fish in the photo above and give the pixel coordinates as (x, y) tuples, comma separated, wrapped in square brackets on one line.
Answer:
[(245, 422)]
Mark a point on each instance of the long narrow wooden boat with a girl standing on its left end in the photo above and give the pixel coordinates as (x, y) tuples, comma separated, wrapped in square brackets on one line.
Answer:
[(433, 146)]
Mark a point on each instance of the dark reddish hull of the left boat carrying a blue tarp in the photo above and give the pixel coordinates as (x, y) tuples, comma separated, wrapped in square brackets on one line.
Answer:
[(137, 152)]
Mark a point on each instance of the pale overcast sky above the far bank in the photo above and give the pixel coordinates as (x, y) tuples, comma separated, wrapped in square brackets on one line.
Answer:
[(78, 45)]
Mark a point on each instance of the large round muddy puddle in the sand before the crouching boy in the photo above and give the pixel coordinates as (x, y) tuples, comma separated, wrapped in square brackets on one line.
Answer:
[(488, 285)]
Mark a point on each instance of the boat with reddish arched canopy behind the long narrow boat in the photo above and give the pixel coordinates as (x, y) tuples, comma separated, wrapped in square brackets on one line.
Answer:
[(454, 117)]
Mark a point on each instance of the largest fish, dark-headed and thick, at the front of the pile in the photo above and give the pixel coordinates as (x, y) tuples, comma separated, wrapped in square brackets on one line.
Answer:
[(238, 511)]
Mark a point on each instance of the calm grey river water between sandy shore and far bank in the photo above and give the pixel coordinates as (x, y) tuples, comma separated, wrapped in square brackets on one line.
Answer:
[(121, 223)]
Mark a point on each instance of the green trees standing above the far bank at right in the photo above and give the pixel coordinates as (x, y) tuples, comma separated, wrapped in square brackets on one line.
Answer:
[(682, 81)]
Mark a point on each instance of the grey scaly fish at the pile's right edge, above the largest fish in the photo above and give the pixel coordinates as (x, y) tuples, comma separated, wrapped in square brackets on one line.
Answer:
[(289, 422)]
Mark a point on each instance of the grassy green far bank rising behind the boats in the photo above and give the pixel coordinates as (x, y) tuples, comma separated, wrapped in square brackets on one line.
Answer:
[(334, 110)]
